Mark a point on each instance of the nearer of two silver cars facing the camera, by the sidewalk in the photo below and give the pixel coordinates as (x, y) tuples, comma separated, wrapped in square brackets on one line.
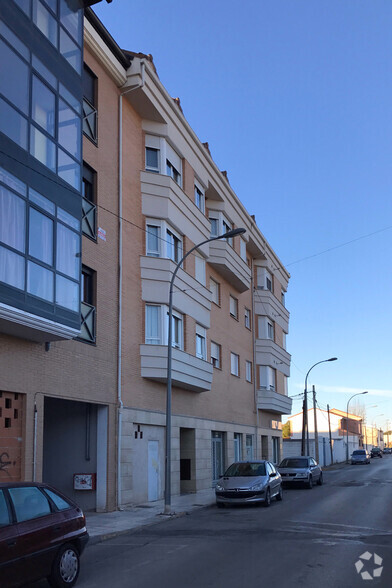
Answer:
[(247, 482)]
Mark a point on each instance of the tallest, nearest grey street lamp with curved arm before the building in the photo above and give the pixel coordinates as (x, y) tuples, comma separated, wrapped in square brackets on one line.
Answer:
[(227, 235)]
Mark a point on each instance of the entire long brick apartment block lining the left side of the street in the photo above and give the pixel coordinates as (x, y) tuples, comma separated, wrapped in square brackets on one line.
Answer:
[(83, 375)]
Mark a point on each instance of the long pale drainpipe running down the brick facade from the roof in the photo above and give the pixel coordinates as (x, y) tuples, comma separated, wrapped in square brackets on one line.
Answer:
[(119, 351)]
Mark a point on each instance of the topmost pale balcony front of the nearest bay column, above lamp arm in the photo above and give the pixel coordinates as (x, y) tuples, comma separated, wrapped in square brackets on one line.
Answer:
[(163, 198)]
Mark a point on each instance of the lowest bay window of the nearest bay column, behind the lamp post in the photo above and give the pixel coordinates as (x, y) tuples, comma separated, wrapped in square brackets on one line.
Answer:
[(157, 324)]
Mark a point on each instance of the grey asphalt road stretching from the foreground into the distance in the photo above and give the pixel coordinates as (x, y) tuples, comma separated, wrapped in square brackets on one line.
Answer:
[(311, 539)]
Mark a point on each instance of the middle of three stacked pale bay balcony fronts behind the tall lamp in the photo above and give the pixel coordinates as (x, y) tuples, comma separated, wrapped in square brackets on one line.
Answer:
[(191, 297)]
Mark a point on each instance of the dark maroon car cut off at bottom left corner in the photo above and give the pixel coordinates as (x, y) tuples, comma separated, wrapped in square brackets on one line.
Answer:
[(42, 535)]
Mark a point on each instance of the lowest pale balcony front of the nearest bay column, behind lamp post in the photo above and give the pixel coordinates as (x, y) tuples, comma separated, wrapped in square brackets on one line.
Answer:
[(188, 372)]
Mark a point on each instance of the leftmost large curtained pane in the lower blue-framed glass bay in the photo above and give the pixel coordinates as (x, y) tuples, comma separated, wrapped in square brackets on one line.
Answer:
[(12, 220)]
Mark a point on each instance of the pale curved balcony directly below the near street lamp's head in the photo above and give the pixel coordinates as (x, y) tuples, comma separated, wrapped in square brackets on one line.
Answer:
[(230, 265)]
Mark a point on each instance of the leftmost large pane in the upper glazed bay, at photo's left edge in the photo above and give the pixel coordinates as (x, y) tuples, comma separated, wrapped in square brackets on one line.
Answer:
[(14, 78)]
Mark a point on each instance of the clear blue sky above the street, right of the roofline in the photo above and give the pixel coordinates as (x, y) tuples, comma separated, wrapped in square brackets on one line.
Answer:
[(295, 98)]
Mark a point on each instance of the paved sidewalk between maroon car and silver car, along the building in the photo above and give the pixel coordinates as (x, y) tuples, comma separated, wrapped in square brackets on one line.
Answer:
[(103, 526)]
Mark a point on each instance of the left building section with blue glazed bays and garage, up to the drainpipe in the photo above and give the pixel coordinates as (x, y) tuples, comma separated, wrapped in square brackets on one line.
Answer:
[(58, 374)]
